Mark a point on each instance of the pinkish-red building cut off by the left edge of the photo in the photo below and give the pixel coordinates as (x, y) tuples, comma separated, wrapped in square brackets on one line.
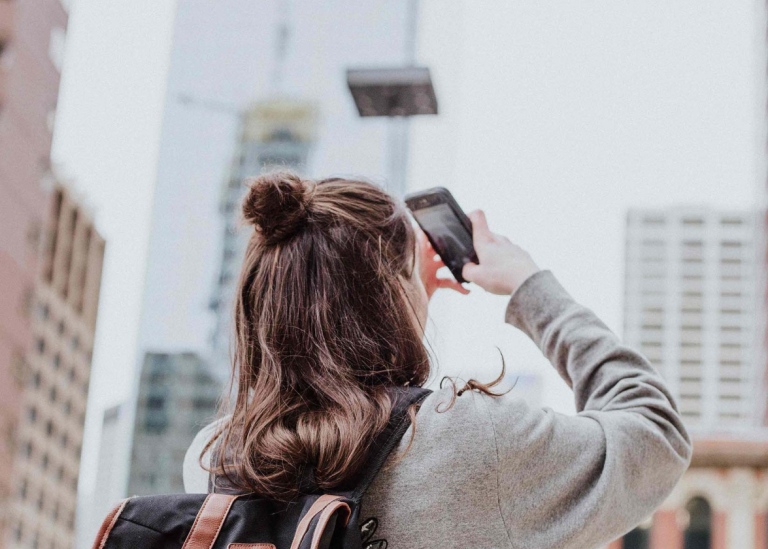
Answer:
[(31, 52)]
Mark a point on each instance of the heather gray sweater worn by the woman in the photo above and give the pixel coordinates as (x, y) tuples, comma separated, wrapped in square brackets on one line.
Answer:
[(495, 472)]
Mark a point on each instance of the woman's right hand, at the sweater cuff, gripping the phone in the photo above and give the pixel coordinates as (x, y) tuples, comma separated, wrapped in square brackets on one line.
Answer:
[(503, 266)]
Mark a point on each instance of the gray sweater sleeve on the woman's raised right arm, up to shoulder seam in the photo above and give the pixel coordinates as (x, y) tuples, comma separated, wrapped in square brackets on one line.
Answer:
[(581, 481)]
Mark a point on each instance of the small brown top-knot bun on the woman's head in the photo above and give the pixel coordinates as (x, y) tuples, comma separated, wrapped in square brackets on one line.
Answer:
[(277, 205)]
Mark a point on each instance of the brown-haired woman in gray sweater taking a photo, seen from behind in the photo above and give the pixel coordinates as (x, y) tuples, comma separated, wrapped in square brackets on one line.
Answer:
[(330, 310)]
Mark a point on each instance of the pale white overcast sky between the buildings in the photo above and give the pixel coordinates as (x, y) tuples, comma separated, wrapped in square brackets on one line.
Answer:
[(555, 117)]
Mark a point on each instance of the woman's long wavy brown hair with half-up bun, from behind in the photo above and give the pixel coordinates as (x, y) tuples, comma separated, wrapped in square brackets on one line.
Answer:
[(323, 328)]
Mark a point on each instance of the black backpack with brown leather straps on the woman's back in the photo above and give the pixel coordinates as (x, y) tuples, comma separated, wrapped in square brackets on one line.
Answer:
[(226, 519)]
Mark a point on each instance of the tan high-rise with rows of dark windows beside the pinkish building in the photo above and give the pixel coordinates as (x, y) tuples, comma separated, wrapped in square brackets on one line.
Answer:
[(56, 379)]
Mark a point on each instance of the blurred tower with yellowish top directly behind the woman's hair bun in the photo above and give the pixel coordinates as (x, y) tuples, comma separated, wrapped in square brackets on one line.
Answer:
[(275, 134)]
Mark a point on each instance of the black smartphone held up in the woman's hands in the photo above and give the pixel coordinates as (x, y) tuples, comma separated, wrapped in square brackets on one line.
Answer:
[(447, 227)]
